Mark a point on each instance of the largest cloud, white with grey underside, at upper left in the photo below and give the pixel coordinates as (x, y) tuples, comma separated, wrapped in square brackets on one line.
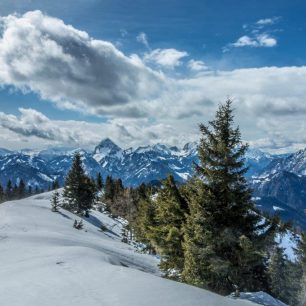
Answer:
[(67, 66)]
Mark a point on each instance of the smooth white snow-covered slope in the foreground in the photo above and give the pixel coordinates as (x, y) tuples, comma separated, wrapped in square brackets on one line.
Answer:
[(45, 261)]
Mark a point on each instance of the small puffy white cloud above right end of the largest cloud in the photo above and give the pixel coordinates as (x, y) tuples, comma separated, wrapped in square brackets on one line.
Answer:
[(166, 57)]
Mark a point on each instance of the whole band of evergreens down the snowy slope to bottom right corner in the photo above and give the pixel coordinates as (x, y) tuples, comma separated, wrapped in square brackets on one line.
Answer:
[(207, 232)]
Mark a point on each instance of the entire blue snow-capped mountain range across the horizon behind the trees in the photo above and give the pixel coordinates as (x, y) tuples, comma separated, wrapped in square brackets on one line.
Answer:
[(278, 181)]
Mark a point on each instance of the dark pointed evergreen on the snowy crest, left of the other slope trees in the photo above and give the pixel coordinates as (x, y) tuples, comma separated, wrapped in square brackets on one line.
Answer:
[(79, 192)]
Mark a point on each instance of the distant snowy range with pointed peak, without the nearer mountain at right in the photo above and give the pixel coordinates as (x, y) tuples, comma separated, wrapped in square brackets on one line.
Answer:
[(147, 164)]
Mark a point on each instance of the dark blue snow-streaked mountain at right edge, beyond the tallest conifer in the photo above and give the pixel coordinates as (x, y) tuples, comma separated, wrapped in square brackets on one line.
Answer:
[(282, 184)]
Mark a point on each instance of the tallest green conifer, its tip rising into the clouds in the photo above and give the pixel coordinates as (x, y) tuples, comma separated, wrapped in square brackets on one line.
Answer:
[(223, 246)]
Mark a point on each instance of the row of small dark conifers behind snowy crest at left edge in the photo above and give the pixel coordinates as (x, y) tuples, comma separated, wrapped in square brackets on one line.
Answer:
[(17, 191)]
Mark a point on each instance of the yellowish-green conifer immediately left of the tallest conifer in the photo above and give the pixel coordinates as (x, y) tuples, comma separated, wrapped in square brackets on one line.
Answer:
[(167, 233)]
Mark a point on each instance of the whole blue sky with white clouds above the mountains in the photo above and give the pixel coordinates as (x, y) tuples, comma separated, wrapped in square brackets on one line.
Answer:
[(142, 72)]
